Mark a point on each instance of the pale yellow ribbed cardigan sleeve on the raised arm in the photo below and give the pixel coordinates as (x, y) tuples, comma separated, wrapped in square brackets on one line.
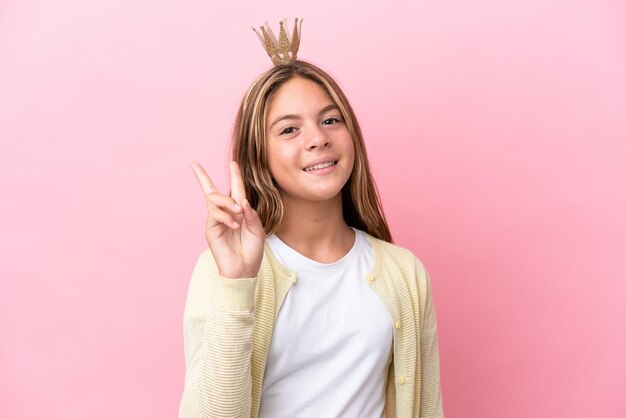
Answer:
[(217, 329)]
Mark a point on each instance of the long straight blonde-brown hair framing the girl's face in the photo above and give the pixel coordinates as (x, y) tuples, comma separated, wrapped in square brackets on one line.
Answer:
[(360, 199)]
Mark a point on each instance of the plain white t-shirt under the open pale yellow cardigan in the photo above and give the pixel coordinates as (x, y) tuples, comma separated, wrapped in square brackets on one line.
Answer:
[(331, 346)]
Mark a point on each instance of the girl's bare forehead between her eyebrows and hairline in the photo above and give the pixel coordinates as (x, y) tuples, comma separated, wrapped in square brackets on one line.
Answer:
[(299, 96)]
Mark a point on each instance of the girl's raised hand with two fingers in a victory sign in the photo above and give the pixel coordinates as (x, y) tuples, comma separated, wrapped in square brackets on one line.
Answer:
[(234, 231)]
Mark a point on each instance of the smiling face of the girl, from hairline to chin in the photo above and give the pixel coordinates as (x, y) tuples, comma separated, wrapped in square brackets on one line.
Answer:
[(304, 128)]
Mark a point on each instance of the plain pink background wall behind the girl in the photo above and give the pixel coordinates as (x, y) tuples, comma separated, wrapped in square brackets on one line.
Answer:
[(497, 135)]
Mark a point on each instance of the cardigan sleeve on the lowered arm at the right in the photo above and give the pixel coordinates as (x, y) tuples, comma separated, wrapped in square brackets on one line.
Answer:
[(431, 399)]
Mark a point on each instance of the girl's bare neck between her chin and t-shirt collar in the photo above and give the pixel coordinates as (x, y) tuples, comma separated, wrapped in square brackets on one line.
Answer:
[(316, 230)]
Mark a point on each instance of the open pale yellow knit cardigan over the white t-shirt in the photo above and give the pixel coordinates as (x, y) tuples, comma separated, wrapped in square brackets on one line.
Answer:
[(228, 326)]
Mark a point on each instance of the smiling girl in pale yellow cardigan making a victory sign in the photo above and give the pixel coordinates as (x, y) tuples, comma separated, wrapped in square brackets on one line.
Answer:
[(302, 306)]
